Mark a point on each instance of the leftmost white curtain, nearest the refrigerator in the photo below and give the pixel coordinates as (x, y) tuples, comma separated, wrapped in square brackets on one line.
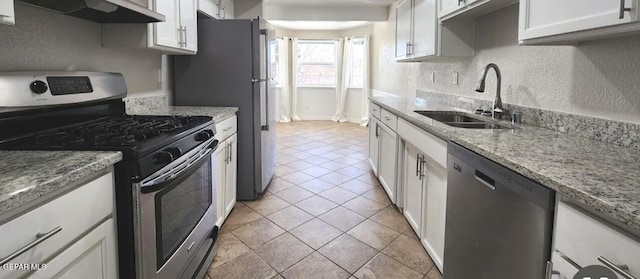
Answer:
[(284, 97)]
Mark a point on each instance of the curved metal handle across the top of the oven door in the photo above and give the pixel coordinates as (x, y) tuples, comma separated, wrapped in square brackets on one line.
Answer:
[(181, 171)]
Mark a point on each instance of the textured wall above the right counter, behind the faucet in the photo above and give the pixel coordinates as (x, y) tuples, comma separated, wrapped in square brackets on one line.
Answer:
[(595, 78)]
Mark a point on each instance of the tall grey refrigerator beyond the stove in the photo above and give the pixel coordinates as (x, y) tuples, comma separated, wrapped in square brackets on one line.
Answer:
[(232, 68)]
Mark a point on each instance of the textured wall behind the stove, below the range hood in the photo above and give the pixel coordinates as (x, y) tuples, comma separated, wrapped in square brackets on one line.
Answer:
[(43, 40)]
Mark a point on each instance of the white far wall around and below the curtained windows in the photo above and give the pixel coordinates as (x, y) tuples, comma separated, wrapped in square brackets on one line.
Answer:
[(320, 103)]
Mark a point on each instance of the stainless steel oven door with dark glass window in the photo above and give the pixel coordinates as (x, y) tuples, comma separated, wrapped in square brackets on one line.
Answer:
[(175, 214)]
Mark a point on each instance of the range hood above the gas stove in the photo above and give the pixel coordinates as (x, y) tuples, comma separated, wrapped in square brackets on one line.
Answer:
[(102, 11)]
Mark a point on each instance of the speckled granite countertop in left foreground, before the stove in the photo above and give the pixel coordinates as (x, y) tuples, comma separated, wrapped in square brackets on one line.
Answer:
[(26, 176)]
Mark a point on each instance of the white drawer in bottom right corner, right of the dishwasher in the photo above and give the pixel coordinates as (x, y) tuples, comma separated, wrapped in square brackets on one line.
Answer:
[(583, 239)]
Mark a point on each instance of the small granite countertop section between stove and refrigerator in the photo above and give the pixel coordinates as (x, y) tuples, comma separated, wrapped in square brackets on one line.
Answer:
[(218, 113)]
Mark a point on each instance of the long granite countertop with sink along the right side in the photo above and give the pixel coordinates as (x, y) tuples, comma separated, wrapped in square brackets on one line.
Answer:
[(599, 175)]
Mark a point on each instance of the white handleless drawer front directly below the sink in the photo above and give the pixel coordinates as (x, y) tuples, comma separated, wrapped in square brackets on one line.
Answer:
[(432, 146)]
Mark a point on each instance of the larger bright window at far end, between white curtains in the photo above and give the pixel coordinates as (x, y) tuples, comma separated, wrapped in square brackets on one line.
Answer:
[(316, 63)]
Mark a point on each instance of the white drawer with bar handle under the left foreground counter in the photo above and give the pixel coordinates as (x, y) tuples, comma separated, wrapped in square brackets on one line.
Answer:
[(74, 212)]
